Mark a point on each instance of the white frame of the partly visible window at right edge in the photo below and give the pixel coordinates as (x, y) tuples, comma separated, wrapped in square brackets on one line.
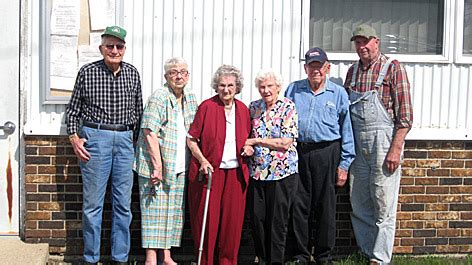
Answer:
[(459, 56)]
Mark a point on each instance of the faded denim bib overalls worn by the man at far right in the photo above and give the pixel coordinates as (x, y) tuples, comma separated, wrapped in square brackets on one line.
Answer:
[(374, 190)]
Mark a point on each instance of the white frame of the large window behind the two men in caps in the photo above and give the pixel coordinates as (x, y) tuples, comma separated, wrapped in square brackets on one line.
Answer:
[(445, 57)]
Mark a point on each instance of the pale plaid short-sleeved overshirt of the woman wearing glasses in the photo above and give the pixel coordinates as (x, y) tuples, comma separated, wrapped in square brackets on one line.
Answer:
[(160, 116)]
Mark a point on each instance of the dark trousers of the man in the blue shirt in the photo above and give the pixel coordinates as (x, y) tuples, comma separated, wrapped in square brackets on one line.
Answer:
[(314, 206)]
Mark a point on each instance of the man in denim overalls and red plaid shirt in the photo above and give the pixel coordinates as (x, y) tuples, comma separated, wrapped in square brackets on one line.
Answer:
[(382, 115)]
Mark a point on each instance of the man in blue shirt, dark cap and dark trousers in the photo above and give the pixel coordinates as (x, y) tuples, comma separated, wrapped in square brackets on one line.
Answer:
[(325, 146)]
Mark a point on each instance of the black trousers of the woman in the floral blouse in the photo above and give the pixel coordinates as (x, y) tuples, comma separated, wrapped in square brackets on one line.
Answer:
[(269, 207)]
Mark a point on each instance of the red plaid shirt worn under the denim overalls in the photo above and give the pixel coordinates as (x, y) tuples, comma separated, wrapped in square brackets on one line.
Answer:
[(395, 92)]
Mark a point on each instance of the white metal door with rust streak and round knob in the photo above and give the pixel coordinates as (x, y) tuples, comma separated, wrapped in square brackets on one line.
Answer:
[(9, 117)]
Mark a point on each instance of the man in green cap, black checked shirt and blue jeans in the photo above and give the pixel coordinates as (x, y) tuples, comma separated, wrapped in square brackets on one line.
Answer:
[(103, 117)]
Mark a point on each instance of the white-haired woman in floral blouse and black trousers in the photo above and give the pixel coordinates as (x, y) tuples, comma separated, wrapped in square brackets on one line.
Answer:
[(273, 168)]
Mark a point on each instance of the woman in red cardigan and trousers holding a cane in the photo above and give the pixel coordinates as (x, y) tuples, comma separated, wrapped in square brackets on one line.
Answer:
[(216, 139)]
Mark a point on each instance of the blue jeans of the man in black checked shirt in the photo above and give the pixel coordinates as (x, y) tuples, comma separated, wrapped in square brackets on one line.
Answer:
[(112, 155)]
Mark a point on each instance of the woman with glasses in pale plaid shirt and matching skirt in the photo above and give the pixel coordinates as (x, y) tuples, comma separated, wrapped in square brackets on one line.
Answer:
[(162, 162)]
